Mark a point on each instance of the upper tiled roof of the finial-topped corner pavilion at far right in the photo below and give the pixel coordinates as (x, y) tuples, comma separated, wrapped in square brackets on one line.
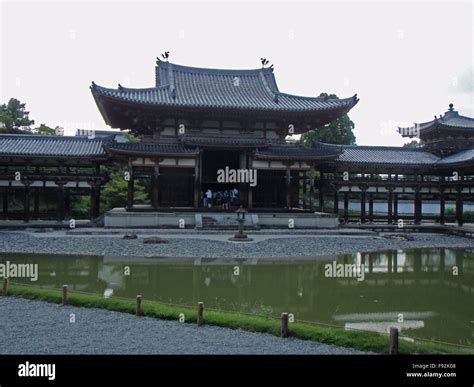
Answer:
[(450, 120)]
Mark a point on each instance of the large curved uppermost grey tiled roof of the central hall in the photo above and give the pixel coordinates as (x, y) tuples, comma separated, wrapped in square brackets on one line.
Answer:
[(185, 86)]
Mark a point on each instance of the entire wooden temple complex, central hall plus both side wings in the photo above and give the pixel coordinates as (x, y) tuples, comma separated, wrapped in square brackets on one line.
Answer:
[(195, 122)]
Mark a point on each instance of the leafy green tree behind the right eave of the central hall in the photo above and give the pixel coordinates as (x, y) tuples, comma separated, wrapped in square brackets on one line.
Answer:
[(338, 131)]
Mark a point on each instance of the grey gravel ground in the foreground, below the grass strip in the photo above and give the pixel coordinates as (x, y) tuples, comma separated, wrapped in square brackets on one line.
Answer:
[(36, 327)]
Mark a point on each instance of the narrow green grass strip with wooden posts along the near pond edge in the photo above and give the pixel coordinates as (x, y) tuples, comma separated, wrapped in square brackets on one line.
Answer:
[(361, 340)]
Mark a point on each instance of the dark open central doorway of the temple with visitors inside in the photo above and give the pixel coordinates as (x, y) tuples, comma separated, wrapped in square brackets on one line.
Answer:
[(212, 162)]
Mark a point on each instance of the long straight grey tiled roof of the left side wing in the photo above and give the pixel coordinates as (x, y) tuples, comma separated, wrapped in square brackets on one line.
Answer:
[(49, 146)]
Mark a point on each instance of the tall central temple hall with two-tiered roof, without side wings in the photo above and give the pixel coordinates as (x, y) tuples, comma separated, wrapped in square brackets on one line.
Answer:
[(196, 121)]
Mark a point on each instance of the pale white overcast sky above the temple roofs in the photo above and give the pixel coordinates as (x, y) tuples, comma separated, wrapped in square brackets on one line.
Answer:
[(406, 61)]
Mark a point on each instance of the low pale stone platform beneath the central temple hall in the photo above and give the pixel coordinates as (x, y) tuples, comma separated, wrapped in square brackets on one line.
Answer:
[(121, 218)]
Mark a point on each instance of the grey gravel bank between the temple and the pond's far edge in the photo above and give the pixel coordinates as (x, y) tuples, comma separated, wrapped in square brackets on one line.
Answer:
[(279, 247)]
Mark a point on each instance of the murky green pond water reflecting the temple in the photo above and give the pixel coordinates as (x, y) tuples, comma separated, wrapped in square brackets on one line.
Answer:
[(418, 284)]
